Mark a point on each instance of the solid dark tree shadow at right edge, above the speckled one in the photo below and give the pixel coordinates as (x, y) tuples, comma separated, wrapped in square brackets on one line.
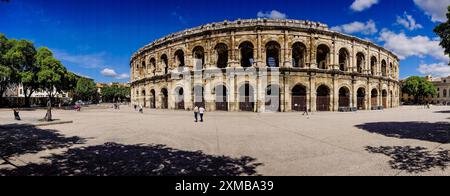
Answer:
[(434, 132)]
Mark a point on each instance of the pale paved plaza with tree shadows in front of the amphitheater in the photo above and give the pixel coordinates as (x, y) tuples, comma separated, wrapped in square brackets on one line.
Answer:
[(404, 141)]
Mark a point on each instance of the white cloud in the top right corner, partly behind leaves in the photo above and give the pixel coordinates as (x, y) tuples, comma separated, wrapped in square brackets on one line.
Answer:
[(437, 9)]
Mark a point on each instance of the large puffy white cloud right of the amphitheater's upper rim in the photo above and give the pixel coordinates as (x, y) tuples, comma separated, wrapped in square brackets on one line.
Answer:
[(405, 46)]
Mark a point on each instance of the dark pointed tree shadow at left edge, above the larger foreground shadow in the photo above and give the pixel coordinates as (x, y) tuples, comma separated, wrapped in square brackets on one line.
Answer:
[(23, 139)]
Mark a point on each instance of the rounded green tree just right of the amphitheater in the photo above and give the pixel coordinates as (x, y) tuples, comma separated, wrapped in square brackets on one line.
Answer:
[(419, 88)]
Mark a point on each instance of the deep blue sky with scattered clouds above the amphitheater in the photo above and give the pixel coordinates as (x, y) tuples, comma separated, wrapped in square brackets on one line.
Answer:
[(91, 36)]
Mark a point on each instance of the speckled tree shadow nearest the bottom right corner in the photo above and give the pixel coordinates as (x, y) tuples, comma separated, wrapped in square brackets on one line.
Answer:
[(413, 159)]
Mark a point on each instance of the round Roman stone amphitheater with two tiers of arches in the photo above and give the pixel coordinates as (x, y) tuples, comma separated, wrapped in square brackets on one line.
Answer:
[(264, 65)]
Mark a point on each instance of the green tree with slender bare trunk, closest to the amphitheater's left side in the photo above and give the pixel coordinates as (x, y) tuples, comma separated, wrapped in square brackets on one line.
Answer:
[(51, 77)]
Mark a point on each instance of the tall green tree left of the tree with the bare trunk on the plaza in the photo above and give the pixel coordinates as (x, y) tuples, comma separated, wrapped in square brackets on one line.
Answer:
[(21, 57)]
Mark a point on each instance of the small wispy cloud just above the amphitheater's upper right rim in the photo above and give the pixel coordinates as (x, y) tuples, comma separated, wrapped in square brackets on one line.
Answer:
[(368, 28)]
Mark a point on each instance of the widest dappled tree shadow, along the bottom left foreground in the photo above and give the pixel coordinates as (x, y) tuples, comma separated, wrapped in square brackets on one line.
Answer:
[(113, 159)]
